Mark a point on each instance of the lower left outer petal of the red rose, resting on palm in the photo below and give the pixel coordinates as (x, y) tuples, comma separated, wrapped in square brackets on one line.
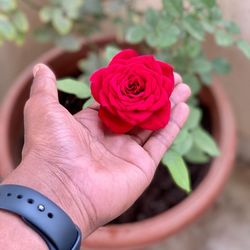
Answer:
[(116, 124)]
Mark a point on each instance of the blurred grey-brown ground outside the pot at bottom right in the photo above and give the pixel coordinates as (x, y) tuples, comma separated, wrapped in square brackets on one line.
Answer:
[(226, 226)]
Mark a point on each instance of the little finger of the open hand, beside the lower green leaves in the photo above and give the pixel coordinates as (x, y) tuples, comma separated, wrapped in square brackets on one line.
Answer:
[(161, 140)]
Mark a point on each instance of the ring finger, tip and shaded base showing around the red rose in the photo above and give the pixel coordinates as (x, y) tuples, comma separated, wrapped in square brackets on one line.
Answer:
[(180, 94)]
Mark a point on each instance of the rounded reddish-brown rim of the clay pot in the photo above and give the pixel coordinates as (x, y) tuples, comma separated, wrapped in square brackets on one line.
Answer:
[(152, 229)]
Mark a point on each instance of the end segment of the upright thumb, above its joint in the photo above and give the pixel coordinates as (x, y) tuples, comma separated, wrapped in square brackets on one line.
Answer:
[(44, 82)]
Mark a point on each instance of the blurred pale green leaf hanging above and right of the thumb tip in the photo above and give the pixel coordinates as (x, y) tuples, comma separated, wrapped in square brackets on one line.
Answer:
[(61, 23)]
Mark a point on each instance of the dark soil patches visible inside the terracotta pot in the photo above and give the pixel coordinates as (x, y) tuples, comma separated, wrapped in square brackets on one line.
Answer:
[(162, 194)]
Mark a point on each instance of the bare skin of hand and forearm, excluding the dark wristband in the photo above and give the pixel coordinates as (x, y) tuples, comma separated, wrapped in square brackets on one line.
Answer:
[(93, 174)]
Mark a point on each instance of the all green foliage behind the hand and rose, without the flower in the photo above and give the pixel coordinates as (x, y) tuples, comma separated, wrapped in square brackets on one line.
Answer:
[(173, 33)]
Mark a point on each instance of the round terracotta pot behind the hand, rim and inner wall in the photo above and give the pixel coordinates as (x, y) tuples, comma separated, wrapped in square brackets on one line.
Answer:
[(150, 230)]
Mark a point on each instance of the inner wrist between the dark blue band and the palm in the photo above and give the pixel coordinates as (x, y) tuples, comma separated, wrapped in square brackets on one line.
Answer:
[(55, 184)]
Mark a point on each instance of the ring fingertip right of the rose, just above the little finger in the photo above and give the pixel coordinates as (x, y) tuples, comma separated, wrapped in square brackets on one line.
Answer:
[(180, 94)]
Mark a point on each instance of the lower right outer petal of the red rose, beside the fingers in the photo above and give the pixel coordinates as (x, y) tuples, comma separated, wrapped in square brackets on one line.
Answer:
[(158, 119)]
